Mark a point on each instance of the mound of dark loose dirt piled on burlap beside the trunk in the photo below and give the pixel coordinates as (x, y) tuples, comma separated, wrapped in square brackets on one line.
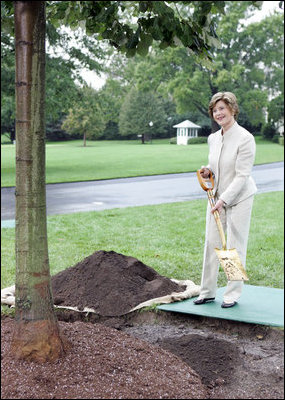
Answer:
[(110, 283)]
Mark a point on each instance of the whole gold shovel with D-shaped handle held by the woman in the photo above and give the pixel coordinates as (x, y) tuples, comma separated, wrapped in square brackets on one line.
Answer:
[(229, 259)]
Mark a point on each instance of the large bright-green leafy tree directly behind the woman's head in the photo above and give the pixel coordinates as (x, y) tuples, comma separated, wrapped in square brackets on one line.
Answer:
[(249, 62)]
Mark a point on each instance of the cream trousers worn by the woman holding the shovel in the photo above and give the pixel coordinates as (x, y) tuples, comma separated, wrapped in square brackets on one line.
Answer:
[(236, 223)]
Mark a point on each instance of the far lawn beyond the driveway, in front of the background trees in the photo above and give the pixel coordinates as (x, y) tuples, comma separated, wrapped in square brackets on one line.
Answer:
[(71, 162)]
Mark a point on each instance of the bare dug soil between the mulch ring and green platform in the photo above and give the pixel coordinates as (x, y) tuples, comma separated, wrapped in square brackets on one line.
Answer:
[(235, 360)]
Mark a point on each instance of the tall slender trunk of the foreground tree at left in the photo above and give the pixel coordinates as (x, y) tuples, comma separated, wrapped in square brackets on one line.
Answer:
[(36, 334)]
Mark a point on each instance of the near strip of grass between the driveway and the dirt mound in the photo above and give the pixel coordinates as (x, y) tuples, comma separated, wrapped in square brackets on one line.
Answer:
[(167, 237)]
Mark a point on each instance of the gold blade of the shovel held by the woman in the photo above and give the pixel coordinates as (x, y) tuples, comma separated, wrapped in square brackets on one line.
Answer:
[(231, 263)]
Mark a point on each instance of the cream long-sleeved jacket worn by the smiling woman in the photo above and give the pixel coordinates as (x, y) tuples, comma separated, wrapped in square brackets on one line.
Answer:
[(231, 158)]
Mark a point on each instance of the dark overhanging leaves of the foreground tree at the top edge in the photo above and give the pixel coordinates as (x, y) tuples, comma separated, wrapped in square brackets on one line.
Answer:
[(132, 26)]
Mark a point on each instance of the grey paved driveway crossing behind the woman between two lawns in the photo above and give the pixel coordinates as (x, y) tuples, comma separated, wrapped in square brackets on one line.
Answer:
[(67, 198)]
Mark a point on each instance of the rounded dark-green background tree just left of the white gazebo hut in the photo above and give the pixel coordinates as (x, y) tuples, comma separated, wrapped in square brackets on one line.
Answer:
[(142, 113)]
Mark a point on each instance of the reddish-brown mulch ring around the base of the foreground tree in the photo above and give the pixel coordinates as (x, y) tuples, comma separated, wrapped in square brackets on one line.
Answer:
[(101, 363)]
